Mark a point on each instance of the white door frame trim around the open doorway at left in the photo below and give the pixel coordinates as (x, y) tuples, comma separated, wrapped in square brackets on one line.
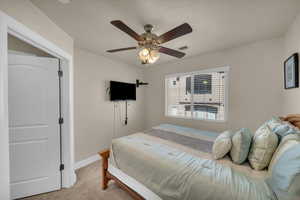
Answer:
[(8, 25)]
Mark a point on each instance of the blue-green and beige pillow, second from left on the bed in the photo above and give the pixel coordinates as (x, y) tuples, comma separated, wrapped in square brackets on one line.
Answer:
[(241, 142)]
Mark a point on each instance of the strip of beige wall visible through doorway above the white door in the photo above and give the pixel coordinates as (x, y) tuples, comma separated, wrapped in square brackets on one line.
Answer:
[(15, 44)]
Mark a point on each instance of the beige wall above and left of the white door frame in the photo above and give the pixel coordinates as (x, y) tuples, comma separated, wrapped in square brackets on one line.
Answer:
[(26, 13)]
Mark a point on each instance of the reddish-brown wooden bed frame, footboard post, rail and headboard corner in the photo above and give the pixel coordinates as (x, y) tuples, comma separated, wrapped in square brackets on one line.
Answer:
[(294, 119)]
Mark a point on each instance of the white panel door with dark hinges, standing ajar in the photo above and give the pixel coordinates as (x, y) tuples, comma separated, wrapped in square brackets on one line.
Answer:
[(34, 131)]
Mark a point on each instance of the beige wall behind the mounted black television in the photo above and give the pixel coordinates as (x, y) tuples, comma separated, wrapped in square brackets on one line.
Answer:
[(96, 120)]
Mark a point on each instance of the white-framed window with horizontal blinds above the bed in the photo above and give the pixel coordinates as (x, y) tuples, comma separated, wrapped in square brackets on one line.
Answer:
[(197, 95)]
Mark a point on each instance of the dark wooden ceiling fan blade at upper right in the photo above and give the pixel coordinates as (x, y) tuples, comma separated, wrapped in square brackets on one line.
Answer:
[(175, 33)]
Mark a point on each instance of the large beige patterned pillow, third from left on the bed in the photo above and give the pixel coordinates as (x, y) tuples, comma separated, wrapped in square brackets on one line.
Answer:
[(263, 146)]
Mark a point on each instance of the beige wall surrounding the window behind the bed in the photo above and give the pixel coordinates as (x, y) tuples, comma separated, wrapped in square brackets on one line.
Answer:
[(255, 80)]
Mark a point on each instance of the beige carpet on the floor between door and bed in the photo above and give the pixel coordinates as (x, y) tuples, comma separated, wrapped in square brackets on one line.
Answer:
[(86, 188)]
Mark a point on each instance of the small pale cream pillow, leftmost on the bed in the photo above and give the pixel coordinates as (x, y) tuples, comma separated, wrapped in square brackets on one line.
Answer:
[(222, 145)]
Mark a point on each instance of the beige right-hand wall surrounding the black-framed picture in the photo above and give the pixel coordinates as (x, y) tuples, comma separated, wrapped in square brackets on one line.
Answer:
[(291, 97)]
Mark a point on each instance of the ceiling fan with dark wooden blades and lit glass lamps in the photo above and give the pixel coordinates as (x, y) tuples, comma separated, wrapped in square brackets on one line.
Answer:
[(149, 43)]
